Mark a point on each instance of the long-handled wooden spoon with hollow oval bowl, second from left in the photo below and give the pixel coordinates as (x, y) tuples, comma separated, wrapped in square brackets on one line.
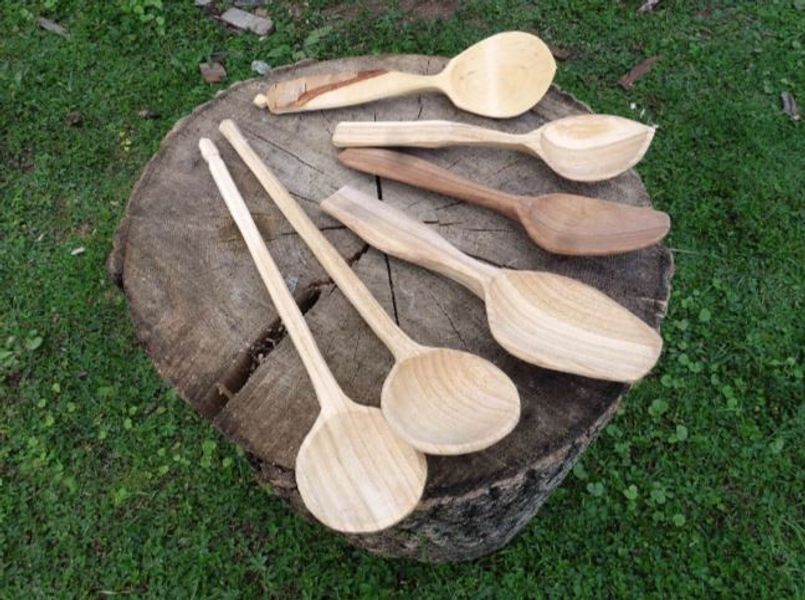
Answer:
[(439, 400)]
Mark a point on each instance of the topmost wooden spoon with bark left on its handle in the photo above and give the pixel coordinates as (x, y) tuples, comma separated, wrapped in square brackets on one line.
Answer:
[(501, 76)]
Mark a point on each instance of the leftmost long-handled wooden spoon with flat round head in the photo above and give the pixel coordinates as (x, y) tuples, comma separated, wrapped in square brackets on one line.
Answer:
[(354, 473)]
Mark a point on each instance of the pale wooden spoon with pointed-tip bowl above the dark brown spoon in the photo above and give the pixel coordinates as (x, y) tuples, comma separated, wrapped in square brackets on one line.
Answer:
[(581, 148)]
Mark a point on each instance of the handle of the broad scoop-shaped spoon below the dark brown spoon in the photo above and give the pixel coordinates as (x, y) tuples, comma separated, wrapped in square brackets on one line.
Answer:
[(395, 233)]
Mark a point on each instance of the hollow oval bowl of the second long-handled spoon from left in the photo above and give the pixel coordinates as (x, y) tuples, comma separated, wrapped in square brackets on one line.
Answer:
[(446, 402)]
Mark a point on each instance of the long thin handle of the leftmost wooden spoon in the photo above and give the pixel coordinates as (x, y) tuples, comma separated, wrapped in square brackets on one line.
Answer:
[(327, 390)]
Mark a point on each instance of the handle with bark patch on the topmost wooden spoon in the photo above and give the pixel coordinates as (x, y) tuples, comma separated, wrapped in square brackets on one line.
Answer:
[(335, 90)]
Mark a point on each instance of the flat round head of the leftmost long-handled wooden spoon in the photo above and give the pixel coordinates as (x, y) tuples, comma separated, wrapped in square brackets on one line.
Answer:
[(356, 475)]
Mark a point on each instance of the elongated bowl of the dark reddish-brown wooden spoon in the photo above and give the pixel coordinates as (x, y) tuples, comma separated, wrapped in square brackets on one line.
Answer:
[(580, 225)]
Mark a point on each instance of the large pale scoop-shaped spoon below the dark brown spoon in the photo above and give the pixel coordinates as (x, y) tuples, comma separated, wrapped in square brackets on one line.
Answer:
[(542, 318)]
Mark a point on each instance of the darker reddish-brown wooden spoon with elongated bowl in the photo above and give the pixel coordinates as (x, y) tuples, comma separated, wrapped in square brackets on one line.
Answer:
[(561, 223)]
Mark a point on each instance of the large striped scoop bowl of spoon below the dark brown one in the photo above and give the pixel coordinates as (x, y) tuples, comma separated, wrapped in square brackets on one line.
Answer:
[(560, 323)]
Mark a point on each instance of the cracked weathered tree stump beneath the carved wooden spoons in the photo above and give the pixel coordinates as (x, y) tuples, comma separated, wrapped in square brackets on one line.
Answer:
[(202, 314)]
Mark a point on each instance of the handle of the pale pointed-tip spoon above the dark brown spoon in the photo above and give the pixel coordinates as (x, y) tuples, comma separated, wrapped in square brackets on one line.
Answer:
[(420, 134)]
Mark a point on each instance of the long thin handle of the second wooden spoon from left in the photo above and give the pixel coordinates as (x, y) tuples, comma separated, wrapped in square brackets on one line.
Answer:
[(349, 283)]
